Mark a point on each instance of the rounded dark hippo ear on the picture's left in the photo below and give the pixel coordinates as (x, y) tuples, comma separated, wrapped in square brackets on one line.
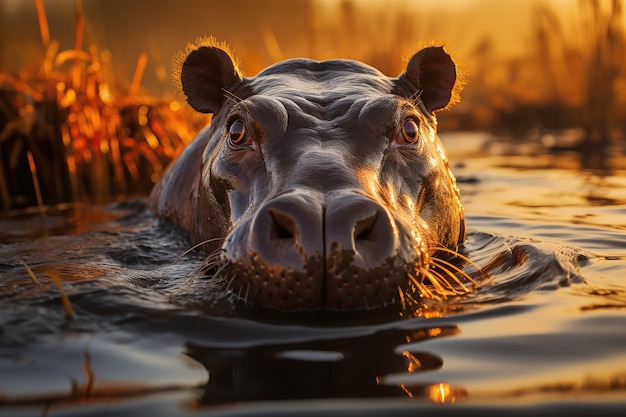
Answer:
[(205, 73)]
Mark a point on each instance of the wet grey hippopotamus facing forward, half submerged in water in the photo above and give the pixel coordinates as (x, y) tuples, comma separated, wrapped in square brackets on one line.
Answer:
[(318, 185)]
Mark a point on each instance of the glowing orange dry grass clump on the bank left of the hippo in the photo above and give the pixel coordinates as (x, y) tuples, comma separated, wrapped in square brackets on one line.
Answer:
[(66, 135)]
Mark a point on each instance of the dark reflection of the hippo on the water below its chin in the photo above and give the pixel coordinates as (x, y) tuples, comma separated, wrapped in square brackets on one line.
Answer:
[(339, 368)]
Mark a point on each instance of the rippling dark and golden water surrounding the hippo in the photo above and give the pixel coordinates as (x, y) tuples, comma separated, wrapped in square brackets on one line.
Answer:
[(545, 334)]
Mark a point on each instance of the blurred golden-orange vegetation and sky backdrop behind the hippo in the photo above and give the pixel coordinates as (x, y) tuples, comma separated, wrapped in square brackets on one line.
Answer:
[(88, 111)]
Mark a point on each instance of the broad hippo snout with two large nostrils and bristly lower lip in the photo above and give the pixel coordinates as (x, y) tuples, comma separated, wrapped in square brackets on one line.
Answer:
[(300, 251)]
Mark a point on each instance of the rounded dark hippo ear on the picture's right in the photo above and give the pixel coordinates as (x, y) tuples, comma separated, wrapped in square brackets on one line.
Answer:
[(432, 74)]
